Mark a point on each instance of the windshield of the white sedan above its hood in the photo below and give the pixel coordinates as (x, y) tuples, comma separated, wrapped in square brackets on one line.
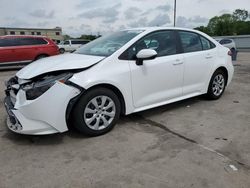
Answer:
[(107, 45)]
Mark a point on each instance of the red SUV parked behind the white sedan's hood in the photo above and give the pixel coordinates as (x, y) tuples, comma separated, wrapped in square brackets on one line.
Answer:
[(21, 50)]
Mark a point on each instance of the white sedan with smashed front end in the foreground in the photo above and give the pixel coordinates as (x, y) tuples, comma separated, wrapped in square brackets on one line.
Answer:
[(89, 89)]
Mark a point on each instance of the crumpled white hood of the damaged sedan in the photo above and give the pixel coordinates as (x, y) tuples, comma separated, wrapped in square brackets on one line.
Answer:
[(57, 63)]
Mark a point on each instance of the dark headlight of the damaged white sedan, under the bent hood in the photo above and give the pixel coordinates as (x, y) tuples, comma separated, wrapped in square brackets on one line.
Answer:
[(36, 89)]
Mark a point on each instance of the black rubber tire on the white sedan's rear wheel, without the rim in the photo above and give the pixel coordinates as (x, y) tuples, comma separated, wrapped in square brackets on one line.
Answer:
[(211, 93)]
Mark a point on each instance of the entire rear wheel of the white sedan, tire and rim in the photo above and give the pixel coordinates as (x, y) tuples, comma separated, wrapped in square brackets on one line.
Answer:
[(217, 85)]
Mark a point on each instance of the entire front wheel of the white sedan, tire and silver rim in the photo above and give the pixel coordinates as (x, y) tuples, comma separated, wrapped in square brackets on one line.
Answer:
[(91, 116)]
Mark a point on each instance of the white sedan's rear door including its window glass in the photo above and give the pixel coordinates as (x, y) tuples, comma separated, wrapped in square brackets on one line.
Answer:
[(198, 57)]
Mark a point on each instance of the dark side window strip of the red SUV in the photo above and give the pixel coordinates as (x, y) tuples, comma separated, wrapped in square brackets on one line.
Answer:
[(22, 42)]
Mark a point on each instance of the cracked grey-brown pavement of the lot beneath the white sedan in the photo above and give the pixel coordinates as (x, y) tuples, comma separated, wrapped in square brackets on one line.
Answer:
[(193, 143)]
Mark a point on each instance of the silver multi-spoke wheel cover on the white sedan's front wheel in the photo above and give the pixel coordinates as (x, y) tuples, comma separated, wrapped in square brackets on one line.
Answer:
[(99, 112)]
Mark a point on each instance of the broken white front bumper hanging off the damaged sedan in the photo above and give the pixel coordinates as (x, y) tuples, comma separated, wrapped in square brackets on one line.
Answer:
[(44, 115)]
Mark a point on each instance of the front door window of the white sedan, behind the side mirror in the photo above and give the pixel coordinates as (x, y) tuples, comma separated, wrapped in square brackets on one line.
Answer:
[(163, 42)]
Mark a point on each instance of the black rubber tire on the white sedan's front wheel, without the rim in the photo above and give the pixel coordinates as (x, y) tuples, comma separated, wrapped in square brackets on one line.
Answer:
[(78, 113)]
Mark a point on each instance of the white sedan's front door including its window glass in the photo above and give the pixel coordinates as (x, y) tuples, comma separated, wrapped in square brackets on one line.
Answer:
[(160, 79)]
